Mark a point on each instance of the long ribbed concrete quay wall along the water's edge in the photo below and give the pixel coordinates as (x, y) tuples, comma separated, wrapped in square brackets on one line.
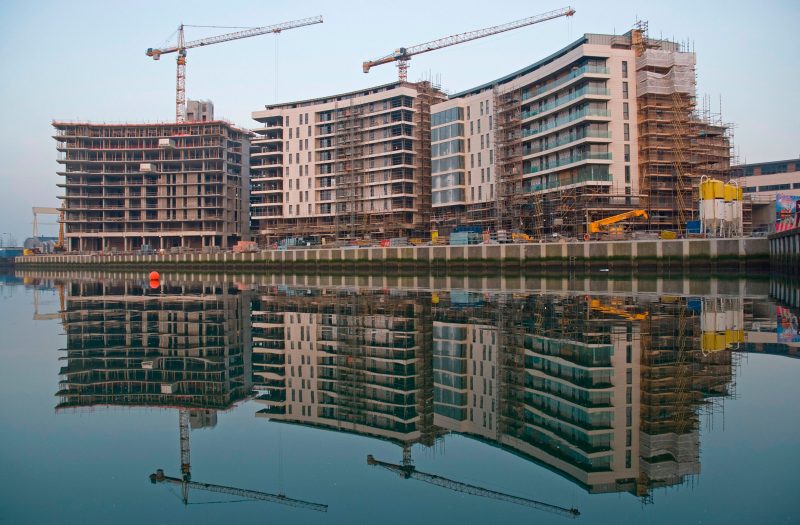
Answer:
[(725, 254)]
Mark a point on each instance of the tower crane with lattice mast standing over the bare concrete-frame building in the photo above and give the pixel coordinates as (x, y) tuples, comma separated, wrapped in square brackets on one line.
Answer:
[(181, 47)]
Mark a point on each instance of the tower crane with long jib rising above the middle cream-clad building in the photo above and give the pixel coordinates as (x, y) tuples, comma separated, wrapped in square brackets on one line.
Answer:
[(404, 54)]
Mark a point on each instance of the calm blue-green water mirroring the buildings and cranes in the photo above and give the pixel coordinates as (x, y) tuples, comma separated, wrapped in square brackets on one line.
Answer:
[(644, 401)]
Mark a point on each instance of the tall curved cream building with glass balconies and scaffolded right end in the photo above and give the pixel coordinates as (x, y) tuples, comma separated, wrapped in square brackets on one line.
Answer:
[(605, 125)]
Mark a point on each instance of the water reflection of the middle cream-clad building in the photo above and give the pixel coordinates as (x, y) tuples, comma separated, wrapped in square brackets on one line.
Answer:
[(348, 362)]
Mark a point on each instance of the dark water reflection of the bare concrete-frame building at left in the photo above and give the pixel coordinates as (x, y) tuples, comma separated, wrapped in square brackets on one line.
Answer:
[(180, 345)]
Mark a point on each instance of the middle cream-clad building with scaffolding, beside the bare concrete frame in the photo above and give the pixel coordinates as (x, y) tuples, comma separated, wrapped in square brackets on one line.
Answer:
[(345, 166)]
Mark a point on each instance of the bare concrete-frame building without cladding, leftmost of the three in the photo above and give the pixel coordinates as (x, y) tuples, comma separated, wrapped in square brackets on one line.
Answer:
[(164, 185)]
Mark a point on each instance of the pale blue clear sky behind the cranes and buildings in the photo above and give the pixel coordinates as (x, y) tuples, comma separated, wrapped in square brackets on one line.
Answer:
[(85, 60)]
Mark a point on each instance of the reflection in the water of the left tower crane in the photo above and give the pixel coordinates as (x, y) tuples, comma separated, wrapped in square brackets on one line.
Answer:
[(185, 481)]
